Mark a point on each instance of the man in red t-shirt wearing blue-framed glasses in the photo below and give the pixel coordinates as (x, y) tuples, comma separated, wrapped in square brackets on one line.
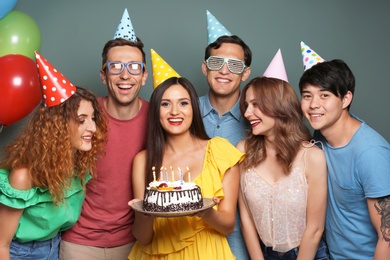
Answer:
[(104, 229)]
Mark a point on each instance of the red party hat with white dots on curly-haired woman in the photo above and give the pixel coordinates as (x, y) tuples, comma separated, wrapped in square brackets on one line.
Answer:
[(55, 87)]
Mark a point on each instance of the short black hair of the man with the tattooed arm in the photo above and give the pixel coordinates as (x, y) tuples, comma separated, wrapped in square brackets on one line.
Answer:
[(334, 76)]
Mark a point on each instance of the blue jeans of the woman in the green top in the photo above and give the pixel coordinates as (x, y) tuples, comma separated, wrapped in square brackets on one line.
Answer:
[(36, 250)]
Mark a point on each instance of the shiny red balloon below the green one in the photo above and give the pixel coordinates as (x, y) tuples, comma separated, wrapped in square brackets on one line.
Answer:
[(19, 87)]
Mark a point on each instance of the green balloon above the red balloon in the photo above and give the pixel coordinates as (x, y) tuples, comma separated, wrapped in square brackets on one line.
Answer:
[(19, 34)]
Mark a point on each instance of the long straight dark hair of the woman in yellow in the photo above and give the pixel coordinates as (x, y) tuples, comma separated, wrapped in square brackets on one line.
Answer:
[(156, 136)]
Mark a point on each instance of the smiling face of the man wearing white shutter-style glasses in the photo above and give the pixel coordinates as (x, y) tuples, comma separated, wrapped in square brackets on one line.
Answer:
[(223, 82)]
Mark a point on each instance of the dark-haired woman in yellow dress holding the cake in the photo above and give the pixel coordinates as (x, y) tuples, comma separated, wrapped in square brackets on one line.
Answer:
[(176, 137)]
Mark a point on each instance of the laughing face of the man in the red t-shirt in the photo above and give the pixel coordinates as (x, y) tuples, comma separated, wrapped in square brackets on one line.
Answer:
[(123, 88)]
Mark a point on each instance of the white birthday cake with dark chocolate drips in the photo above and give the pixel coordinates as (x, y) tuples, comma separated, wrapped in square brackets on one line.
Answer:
[(176, 196)]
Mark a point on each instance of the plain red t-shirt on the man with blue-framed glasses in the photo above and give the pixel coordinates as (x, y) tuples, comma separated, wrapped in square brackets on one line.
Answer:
[(106, 219)]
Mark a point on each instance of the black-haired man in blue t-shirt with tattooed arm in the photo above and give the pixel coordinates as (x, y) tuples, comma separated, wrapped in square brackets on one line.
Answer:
[(358, 159)]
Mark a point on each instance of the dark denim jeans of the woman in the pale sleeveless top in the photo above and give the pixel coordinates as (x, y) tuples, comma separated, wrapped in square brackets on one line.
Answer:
[(269, 254)]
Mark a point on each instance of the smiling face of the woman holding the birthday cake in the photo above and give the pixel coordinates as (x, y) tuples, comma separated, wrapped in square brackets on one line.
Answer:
[(176, 112)]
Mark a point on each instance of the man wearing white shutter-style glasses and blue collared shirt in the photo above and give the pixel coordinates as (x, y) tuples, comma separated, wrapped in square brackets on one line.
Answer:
[(227, 64)]
